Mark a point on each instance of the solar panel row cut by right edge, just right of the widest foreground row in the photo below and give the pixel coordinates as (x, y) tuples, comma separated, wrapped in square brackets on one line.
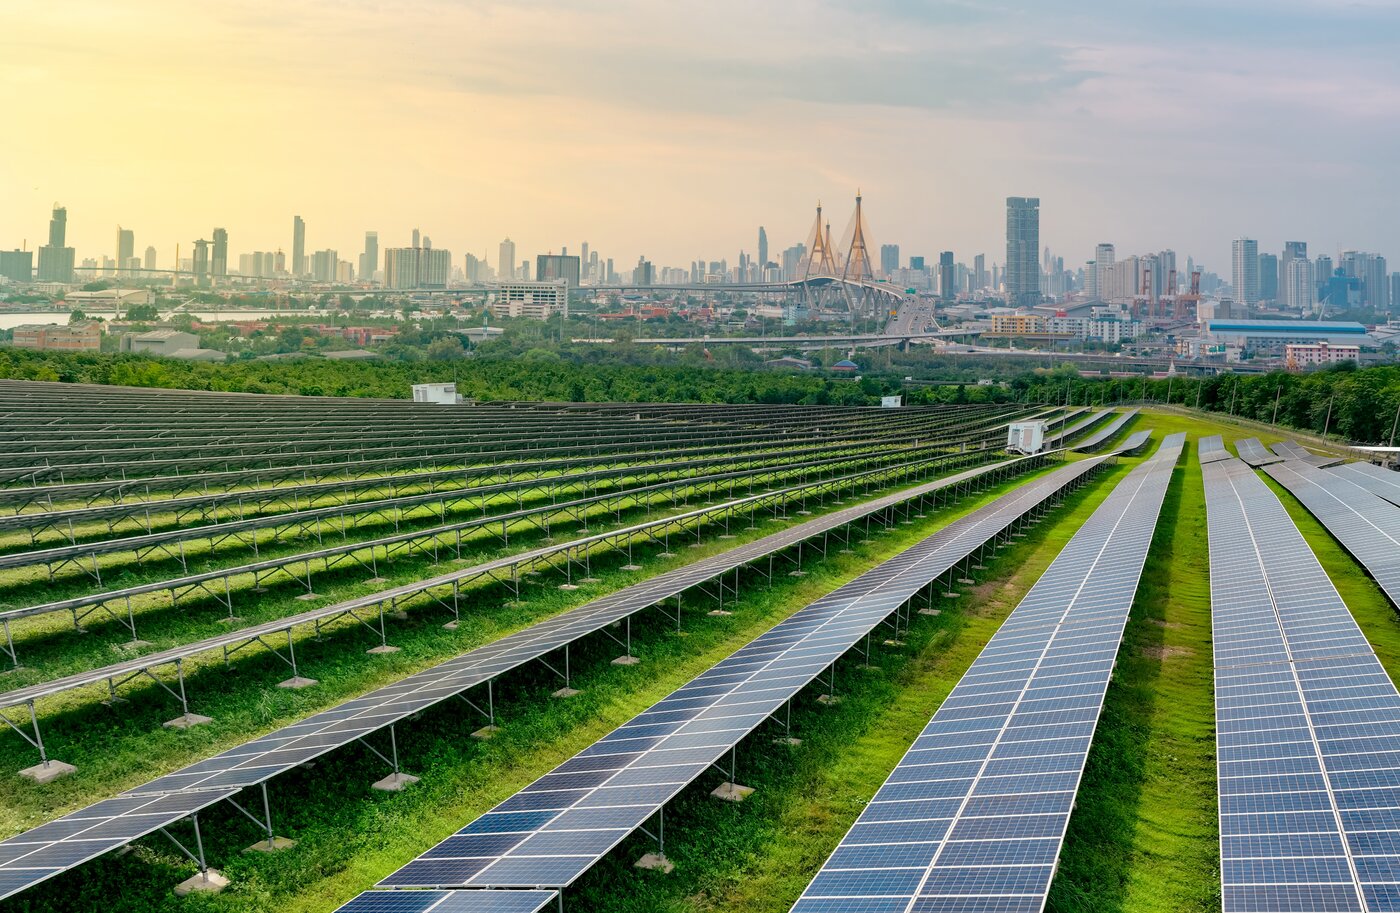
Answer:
[(1368, 527)]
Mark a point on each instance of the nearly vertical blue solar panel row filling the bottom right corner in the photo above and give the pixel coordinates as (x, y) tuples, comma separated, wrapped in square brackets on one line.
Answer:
[(1308, 722)]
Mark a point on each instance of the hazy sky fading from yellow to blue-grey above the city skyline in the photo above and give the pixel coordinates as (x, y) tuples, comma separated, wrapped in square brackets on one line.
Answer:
[(675, 130)]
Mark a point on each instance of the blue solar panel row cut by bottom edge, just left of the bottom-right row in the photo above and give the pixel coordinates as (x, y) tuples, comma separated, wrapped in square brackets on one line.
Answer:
[(974, 817)]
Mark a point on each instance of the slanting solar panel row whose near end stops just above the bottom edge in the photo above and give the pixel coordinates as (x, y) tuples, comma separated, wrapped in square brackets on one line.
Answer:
[(555, 830)]
